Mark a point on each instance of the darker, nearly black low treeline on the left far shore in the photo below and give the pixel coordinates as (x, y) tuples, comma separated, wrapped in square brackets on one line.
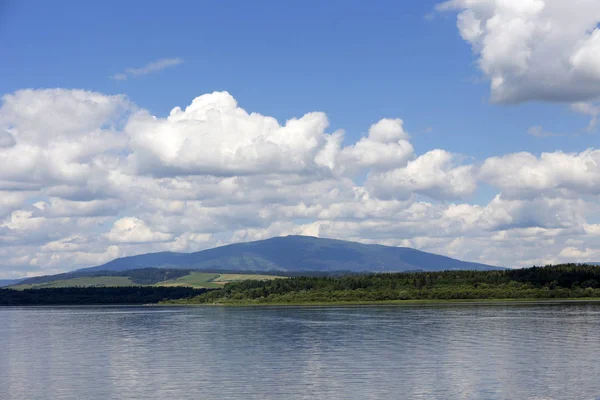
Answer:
[(95, 295)]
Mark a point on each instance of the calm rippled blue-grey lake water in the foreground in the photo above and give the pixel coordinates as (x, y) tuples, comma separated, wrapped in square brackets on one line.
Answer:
[(428, 352)]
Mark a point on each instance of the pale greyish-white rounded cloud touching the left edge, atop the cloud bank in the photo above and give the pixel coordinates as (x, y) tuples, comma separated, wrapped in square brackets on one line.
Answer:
[(58, 135)]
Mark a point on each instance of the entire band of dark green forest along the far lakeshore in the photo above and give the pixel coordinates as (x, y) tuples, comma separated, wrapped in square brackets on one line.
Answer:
[(566, 281)]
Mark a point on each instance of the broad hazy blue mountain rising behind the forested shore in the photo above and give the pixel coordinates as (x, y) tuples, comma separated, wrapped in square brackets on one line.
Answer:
[(297, 253)]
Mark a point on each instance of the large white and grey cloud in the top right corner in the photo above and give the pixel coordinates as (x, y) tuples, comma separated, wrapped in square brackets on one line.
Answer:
[(544, 50)]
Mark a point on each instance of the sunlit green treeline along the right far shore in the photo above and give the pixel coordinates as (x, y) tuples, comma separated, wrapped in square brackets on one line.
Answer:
[(560, 281)]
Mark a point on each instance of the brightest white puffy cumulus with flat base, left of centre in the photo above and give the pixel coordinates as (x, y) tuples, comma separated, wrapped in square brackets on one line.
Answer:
[(213, 136)]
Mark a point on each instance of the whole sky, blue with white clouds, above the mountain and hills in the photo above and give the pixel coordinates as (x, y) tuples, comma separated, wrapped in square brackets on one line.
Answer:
[(466, 128)]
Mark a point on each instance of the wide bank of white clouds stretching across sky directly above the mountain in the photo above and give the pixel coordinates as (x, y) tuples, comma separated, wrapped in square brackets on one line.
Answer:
[(86, 177)]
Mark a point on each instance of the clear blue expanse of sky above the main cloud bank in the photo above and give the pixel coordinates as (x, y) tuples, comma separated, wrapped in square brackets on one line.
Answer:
[(355, 63)]
